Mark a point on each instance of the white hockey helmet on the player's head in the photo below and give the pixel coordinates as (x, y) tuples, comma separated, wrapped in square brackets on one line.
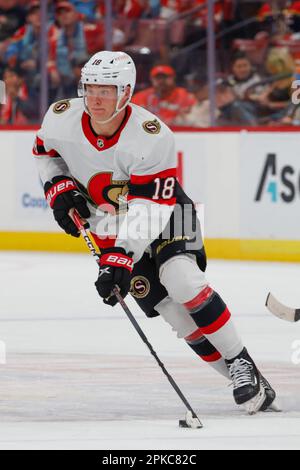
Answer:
[(109, 68)]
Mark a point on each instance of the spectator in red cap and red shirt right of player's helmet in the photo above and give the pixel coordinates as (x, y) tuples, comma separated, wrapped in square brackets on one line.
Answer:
[(164, 98)]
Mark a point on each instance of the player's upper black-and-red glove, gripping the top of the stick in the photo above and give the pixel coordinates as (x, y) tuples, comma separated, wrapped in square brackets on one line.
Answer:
[(62, 195)]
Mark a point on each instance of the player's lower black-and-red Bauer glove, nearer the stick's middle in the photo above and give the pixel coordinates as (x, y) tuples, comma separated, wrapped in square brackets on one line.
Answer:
[(115, 269)]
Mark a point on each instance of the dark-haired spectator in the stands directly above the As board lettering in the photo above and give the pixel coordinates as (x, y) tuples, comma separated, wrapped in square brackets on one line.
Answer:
[(242, 75)]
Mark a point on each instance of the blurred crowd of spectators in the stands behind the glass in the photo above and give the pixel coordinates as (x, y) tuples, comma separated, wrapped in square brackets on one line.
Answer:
[(257, 57)]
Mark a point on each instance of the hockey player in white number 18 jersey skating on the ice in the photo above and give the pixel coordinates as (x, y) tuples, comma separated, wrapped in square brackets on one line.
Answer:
[(94, 151)]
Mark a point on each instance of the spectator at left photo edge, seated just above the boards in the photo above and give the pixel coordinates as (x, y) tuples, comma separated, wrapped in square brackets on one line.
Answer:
[(20, 108)]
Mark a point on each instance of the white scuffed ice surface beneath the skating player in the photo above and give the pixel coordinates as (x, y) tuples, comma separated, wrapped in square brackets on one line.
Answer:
[(79, 377)]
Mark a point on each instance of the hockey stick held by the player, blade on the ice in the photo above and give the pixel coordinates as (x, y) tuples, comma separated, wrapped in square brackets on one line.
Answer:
[(191, 419)]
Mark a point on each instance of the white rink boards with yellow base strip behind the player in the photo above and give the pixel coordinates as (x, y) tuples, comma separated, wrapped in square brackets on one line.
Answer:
[(248, 182)]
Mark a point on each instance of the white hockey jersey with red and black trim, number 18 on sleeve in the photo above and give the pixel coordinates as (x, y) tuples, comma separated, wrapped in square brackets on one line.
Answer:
[(137, 163)]
